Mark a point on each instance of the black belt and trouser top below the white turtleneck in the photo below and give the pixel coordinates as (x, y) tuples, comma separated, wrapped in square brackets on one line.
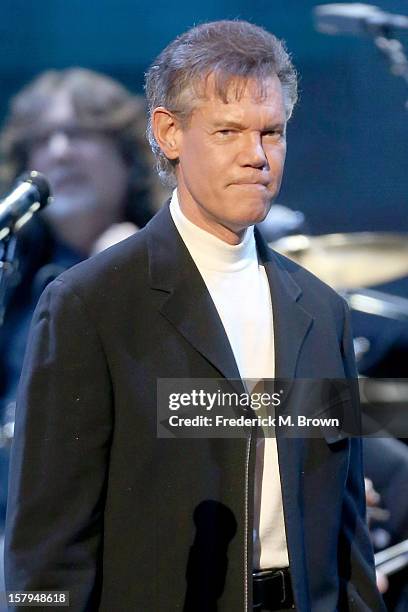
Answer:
[(272, 590)]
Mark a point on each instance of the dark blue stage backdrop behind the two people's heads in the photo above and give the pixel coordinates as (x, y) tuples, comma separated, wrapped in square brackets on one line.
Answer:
[(346, 167)]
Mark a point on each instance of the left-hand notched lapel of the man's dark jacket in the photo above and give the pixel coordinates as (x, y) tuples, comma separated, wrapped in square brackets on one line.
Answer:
[(188, 305)]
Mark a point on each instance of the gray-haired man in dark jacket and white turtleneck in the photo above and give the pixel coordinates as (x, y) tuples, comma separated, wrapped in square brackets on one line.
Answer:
[(101, 506)]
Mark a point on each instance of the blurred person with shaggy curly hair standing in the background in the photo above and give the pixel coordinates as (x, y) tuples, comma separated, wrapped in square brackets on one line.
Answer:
[(86, 133)]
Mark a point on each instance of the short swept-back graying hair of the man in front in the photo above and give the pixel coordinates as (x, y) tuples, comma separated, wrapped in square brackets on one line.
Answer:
[(226, 49)]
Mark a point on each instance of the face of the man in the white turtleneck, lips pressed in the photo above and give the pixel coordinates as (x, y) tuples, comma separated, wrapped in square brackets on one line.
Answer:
[(231, 158)]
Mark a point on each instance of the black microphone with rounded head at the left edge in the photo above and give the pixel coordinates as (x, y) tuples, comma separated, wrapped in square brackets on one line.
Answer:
[(31, 193)]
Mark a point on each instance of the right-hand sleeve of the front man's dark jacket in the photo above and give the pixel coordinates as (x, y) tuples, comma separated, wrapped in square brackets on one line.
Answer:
[(358, 590)]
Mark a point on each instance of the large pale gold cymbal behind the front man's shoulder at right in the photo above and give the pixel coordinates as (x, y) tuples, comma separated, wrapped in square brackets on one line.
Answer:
[(349, 261)]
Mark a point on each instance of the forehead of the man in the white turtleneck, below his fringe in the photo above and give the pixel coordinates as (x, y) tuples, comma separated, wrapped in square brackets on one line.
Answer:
[(243, 98)]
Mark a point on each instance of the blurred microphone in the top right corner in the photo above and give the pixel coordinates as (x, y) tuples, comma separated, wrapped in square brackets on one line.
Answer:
[(356, 19)]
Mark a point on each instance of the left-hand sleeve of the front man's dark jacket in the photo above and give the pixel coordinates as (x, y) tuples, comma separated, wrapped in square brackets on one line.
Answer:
[(59, 459)]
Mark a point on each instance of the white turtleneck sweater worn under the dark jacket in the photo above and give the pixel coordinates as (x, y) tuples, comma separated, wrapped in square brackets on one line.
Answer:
[(239, 288)]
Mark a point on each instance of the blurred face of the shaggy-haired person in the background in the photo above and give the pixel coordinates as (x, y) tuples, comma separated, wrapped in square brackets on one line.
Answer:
[(86, 171)]
